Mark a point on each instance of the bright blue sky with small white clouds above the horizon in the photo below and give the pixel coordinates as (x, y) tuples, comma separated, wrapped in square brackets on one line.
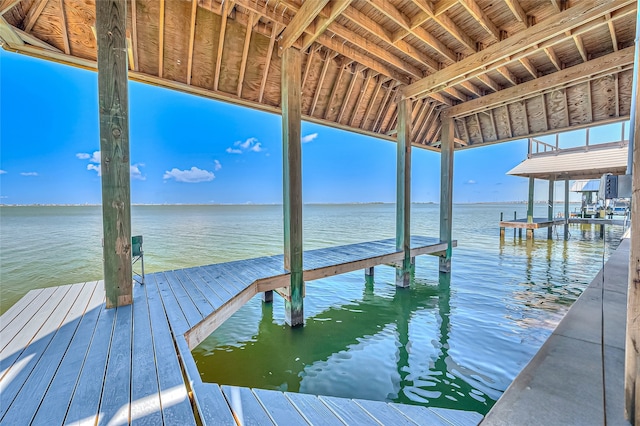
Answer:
[(186, 149)]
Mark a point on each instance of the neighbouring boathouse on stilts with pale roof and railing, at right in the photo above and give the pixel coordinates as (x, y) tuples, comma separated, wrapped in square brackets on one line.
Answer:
[(549, 162)]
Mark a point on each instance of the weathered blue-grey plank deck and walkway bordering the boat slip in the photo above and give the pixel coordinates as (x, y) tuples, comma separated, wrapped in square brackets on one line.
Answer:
[(65, 359)]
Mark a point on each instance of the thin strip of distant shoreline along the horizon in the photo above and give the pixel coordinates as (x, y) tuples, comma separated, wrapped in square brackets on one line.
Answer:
[(279, 204)]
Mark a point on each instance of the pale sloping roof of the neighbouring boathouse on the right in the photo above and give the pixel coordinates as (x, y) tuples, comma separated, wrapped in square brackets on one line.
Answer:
[(590, 164)]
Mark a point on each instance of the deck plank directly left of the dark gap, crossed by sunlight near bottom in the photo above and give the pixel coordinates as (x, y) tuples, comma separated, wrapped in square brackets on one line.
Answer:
[(176, 408)]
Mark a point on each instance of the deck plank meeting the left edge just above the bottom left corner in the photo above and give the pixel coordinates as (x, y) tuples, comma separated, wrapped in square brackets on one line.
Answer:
[(20, 369)]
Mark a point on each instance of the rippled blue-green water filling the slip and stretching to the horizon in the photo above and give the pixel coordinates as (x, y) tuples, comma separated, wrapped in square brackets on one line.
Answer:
[(454, 341)]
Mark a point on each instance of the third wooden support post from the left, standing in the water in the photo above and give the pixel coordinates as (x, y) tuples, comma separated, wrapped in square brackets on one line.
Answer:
[(403, 192)]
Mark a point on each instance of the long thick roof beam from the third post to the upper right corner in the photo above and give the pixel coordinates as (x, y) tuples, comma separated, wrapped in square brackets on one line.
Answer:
[(507, 50)]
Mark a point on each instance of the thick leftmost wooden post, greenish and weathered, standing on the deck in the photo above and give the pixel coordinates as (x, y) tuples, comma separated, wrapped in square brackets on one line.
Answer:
[(111, 24)]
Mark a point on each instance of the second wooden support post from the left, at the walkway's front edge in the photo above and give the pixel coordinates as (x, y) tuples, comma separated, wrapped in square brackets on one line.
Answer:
[(292, 183)]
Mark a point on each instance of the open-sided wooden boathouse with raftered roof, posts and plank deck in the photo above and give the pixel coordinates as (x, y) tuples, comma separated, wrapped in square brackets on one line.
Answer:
[(441, 75)]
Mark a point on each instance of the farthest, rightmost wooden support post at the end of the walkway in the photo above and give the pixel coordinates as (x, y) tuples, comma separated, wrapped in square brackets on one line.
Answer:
[(446, 189)]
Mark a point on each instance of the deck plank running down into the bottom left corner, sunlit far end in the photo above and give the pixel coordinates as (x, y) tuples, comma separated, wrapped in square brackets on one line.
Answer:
[(27, 400)]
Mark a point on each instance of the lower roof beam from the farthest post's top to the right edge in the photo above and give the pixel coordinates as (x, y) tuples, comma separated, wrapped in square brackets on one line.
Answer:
[(567, 76)]
